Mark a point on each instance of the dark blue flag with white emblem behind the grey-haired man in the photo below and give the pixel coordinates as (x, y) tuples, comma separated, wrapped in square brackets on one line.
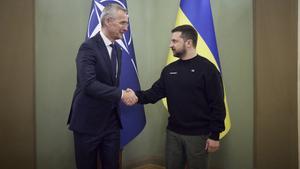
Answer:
[(133, 117)]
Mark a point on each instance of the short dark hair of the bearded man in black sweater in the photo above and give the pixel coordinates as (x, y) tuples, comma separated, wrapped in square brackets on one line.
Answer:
[(187, 32)]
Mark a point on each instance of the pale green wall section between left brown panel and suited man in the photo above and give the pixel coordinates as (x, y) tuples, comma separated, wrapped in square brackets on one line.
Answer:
[(60, 28)]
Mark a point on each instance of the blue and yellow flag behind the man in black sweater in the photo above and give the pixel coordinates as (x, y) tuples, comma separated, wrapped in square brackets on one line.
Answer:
[(198, 14)]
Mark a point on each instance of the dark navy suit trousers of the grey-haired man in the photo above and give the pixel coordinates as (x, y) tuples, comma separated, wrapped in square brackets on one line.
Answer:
[(88, 147)]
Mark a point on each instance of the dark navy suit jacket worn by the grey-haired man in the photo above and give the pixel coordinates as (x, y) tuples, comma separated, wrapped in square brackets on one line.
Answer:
[(97, 94)]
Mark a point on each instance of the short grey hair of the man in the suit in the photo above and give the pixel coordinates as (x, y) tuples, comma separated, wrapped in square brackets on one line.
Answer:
[(110, 11)]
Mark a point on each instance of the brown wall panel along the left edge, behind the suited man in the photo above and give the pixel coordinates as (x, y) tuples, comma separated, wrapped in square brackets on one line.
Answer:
[(17, 85)]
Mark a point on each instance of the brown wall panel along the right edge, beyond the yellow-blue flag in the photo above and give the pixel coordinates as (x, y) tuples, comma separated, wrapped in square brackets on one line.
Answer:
[(275, 34)]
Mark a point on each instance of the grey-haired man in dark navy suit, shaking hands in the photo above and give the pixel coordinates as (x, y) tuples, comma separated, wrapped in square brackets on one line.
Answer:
[(94, 116)]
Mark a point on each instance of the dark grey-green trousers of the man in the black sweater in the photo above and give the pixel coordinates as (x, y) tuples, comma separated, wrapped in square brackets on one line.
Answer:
[(186, 149)]
